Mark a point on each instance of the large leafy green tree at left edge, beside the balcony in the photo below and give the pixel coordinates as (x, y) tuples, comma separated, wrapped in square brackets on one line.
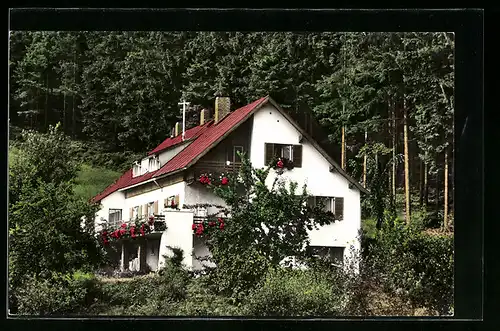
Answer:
[(45, 217)]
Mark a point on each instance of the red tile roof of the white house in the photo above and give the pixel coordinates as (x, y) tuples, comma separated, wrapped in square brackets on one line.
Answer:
[(202, 138)]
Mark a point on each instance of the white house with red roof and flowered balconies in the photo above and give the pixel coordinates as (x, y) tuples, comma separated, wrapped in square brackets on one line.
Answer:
[(169, 175)]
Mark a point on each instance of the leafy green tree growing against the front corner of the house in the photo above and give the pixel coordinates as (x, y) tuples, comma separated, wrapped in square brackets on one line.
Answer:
[(266, 224)]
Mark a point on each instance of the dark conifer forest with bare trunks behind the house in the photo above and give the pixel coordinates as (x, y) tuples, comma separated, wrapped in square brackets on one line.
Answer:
[(385, 101)]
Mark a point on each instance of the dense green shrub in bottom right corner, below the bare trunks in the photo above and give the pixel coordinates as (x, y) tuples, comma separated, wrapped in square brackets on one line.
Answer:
[(414, 265)]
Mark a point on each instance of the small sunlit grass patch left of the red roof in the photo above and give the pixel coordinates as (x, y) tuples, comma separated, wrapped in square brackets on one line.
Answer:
[(93, 180)]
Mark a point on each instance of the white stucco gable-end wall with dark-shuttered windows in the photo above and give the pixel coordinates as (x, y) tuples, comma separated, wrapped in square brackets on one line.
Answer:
[(270, 126)]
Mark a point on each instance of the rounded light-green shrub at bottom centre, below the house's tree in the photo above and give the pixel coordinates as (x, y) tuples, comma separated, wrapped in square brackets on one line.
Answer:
[(286, 292)]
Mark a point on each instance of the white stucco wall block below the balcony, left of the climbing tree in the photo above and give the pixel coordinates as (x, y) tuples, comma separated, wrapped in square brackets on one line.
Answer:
[(179, 234)]
